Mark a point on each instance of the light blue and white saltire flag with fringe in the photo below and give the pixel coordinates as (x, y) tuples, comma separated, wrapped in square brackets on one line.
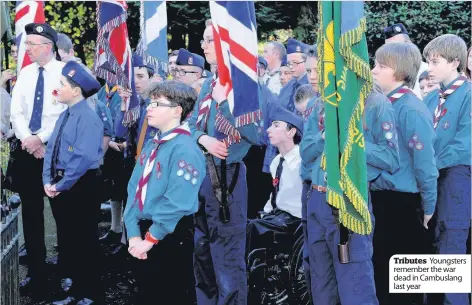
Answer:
[(152, 45)]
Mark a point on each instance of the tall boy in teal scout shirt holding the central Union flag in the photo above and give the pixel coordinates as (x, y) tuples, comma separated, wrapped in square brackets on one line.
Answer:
[(219, 265)]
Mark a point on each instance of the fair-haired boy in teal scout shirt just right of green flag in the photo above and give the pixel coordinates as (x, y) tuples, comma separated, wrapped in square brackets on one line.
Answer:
[(408, 194)]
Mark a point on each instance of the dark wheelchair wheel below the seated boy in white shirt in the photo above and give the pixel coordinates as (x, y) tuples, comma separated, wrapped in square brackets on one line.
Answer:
[(300, 289)]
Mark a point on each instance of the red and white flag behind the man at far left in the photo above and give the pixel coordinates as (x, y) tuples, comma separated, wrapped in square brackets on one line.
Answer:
[(26, 12)]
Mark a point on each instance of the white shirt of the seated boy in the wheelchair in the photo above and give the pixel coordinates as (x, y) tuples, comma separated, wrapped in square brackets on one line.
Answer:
[(289, 197)]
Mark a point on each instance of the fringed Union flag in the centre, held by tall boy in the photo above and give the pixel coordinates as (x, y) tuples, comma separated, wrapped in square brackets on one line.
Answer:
[(235, 38)]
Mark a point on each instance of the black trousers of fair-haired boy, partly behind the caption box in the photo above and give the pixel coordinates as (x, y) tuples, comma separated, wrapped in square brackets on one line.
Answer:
[(398, 230)]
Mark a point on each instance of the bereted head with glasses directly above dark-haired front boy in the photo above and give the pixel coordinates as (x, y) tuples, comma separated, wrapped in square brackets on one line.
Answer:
[(190, 67)]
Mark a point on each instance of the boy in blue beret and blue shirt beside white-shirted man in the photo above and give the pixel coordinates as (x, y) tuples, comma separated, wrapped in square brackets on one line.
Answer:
[(70, 179)]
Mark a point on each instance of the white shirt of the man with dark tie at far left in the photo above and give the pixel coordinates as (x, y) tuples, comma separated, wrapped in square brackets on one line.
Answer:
[(22, 102)]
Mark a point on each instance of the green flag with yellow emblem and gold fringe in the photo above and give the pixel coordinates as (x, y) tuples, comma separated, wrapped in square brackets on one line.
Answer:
[(346, 83)]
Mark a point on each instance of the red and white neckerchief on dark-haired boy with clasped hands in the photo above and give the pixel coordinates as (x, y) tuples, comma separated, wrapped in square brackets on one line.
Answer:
[(141, 189)]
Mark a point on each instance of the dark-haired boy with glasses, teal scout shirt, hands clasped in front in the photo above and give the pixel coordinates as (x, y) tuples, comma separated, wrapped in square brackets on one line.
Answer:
[(162, 196)]
